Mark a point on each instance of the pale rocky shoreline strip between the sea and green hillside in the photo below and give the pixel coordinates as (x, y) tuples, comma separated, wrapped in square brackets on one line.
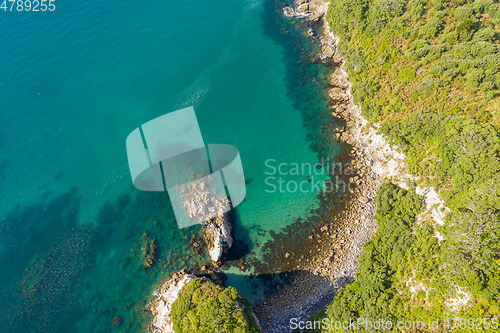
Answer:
[(314, 288)]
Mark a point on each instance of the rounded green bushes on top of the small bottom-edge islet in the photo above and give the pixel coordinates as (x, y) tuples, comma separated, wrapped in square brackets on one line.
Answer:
[(205, 307)]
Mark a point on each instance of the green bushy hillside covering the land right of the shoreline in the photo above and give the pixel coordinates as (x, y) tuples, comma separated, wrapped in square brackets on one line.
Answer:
[(429, 71)]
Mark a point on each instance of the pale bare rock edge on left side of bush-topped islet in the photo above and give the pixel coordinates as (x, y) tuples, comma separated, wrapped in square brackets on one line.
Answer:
[(163, 299)]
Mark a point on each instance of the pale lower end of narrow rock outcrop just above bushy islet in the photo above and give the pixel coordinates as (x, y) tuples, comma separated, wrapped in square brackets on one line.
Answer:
[(217, 234)]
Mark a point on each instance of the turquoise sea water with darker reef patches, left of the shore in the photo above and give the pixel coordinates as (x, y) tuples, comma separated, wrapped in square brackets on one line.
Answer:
[(73, 84)]
